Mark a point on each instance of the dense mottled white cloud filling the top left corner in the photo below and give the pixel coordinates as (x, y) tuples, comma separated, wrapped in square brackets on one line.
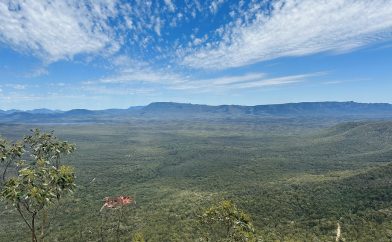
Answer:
[(56, 30)]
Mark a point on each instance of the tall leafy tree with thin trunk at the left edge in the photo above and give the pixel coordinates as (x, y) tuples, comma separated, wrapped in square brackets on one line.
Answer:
[(40, 180)]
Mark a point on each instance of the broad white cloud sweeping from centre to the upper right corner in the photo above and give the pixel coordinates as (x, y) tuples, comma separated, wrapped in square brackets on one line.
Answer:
[(297, 28)]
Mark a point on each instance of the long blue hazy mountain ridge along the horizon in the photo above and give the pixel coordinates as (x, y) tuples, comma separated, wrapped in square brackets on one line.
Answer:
[(171, 110)]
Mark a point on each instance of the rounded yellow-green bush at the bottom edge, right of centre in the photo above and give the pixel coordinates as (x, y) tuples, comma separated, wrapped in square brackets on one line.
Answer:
[(228, 222)]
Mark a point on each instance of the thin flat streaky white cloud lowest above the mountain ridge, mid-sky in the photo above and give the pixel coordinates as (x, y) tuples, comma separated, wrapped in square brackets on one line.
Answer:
[(146, 77)]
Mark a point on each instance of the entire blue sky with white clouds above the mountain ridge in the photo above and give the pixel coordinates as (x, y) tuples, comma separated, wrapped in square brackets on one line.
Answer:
[(102, 54)]
